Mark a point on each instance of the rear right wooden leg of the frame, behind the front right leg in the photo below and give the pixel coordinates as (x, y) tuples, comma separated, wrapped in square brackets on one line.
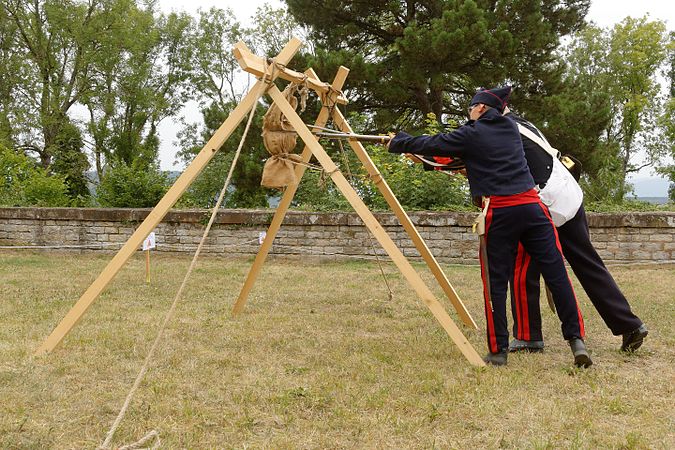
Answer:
[(409, 227)]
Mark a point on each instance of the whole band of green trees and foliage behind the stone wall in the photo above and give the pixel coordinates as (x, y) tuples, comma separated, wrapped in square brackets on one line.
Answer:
[(129, 67)]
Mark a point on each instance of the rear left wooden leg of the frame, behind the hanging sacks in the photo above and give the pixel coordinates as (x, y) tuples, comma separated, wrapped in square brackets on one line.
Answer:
[(286, 199)]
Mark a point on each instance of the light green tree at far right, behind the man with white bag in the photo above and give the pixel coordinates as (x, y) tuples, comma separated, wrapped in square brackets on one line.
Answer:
[(607, 113)]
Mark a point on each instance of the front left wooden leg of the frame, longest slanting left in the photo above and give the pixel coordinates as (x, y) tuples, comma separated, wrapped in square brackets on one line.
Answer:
[(159, 211)]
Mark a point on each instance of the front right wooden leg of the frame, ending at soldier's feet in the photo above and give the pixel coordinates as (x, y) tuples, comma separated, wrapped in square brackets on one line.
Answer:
[(383, 238)]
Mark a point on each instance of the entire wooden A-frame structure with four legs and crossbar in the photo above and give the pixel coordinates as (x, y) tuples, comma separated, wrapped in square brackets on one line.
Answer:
[(267, 71)]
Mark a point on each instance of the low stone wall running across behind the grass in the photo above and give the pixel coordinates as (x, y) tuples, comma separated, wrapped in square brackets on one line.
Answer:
[(619, 238)]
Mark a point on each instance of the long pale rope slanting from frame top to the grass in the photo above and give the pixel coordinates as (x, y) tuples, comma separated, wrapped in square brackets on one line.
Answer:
[(169, 315)]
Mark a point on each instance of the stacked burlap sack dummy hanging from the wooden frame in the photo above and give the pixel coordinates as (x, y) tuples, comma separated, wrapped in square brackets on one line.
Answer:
[(280, 140)]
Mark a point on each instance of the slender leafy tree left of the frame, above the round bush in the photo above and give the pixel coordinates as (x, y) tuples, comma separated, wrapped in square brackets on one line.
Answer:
[(140, 78)]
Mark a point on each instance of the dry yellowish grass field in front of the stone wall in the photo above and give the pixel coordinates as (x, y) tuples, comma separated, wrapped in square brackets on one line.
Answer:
[(320, 358)]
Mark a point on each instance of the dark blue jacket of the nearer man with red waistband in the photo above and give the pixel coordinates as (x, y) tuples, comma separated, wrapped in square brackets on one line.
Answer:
[(490, 147)]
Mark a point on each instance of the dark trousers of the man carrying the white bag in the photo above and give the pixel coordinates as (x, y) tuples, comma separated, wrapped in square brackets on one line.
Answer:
[(591, 272)]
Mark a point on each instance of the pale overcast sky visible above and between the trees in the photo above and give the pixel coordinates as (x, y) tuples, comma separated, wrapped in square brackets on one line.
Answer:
[(604, 13)]
